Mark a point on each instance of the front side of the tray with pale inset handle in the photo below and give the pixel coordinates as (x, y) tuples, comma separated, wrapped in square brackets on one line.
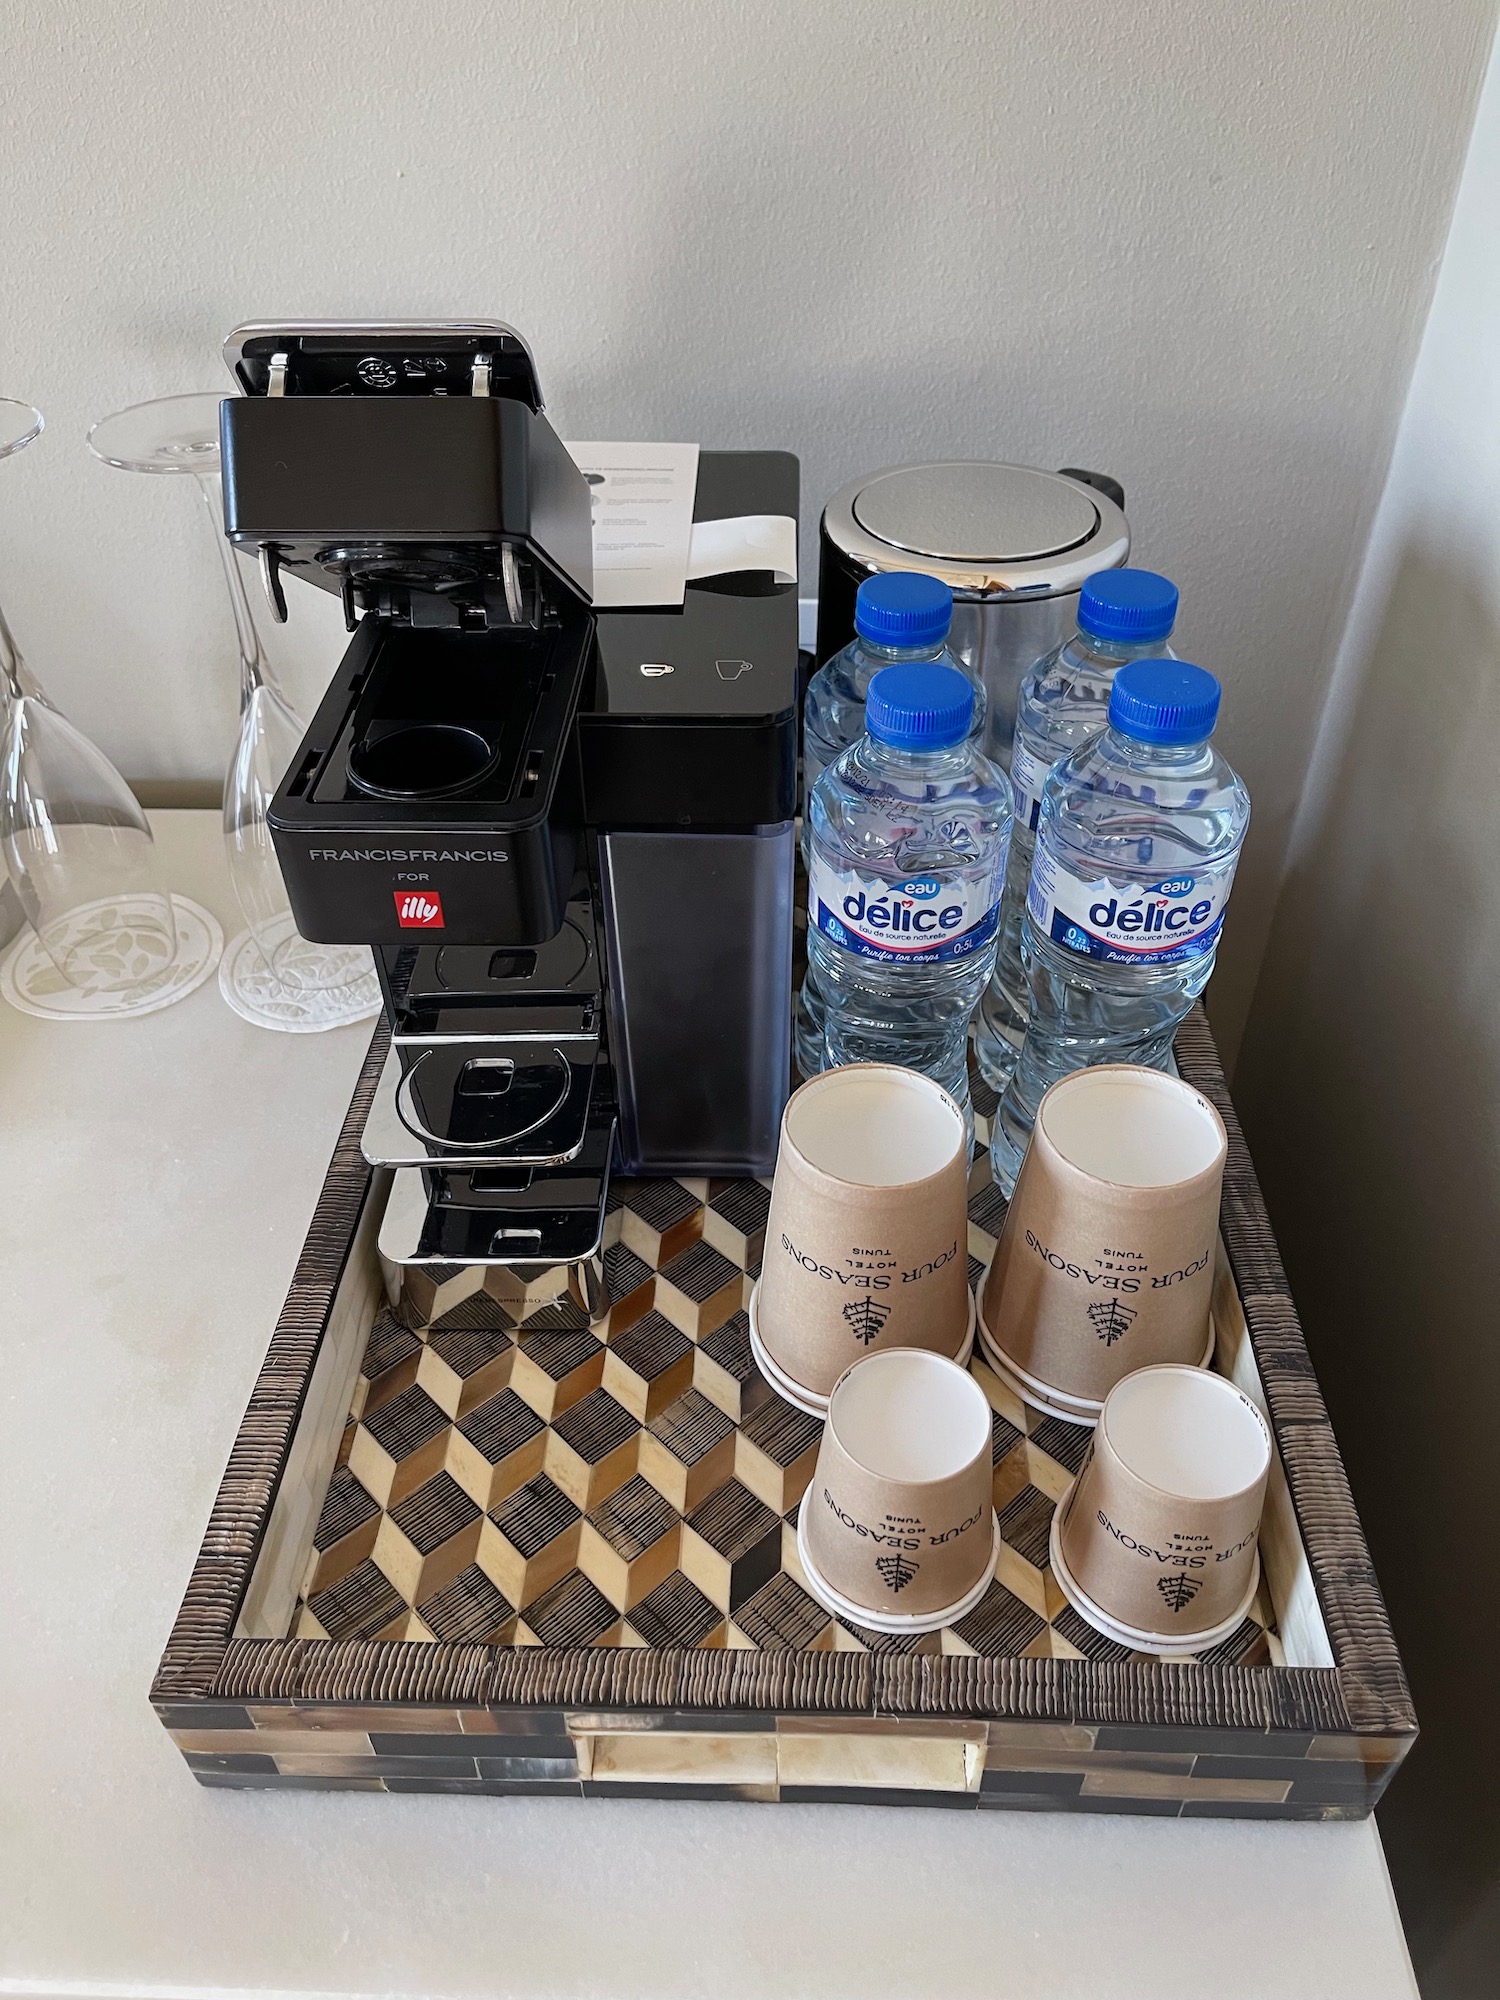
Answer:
[(1137, 1767)]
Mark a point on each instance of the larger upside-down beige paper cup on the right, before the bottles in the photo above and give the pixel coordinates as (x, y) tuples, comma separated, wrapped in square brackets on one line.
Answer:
[(1107, 1257)]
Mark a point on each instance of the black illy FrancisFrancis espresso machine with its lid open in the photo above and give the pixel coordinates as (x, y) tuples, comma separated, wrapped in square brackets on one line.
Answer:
[(567, 835)]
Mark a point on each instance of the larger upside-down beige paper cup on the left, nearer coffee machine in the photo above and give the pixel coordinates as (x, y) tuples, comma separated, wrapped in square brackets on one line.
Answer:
[(867, 1239)]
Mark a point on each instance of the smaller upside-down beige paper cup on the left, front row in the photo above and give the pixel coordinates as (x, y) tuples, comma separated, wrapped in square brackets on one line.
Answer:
[(897, 1529)]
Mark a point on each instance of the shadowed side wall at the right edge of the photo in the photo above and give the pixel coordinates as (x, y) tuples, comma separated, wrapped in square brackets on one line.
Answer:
[(1371, 1083)]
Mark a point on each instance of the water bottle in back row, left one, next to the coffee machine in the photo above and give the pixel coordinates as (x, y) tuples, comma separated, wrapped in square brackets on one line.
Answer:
[(899, 617)]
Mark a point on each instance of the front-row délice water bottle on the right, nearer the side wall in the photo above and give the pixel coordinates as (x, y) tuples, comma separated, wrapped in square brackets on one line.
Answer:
[(1135, 857)]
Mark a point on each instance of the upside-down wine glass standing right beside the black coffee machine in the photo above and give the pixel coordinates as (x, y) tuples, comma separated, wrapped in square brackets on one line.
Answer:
[(181, 435)]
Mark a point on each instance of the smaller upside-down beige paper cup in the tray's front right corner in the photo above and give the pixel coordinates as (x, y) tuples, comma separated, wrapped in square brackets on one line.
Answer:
[(1157, 1537)]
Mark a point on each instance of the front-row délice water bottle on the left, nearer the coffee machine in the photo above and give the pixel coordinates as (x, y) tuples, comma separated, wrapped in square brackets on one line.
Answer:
[(909, 833)]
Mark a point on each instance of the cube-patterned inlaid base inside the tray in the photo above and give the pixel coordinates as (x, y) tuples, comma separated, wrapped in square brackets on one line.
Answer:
[(519, 1475)]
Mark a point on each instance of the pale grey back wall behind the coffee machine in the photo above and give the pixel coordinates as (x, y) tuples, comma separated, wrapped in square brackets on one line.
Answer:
[(1185, 241)]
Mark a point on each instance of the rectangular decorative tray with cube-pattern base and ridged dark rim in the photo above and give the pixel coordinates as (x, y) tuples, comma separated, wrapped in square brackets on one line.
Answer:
[(473, 1541)]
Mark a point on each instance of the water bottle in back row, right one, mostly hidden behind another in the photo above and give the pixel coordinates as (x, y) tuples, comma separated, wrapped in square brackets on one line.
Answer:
[(1123, 615)]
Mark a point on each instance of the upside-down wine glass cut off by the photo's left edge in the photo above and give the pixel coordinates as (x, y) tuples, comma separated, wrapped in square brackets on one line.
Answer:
[(75, 837)]
